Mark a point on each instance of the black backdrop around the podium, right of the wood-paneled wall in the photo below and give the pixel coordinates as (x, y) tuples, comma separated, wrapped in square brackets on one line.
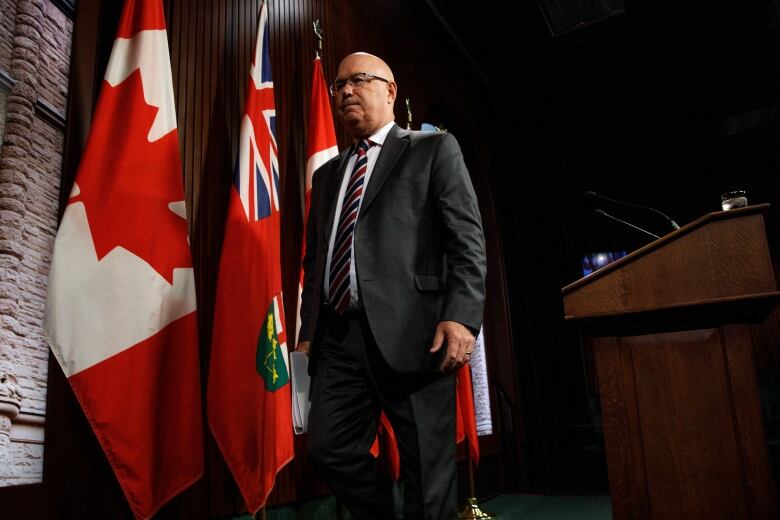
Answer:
[(665, 105)]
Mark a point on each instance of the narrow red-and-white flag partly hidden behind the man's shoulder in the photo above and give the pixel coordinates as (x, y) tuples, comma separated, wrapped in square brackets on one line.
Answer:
[(320, 148)]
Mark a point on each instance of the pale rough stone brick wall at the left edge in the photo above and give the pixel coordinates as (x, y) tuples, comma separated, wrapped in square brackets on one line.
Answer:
[(35, 45)]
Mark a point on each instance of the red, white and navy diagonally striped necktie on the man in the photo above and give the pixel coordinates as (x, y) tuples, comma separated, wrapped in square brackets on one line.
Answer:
[(339, 291)]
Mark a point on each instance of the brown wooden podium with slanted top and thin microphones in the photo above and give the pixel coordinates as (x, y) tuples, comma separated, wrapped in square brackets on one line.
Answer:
[(681, 414)]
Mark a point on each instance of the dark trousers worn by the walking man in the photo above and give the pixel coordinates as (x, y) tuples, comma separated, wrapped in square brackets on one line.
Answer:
[(351, 385)]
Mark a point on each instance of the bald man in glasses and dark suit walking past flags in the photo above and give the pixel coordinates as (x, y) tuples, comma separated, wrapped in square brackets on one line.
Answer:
[(393, 294)]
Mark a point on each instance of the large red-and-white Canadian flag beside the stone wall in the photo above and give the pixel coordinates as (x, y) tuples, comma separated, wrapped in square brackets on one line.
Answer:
[(120, 310)]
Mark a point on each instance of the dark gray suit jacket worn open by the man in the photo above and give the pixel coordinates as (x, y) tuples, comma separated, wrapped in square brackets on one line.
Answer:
[(419, 246)]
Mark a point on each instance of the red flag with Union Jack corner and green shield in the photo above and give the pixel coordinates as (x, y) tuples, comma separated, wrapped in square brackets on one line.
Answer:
[(249, 400)]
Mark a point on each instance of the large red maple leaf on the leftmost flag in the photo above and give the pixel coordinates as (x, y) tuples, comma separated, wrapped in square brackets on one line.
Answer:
[(127, 183)]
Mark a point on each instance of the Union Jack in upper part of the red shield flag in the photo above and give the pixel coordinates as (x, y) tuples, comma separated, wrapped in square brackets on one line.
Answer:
[(256, 176)]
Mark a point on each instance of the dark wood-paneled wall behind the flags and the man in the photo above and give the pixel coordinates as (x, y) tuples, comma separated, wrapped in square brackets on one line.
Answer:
[(211, 45)]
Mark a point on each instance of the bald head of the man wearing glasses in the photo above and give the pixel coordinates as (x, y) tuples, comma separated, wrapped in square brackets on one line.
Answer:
[(364, 104)]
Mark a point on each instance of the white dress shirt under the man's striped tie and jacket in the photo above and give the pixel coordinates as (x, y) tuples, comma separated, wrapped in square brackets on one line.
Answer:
[(373, 153)]
